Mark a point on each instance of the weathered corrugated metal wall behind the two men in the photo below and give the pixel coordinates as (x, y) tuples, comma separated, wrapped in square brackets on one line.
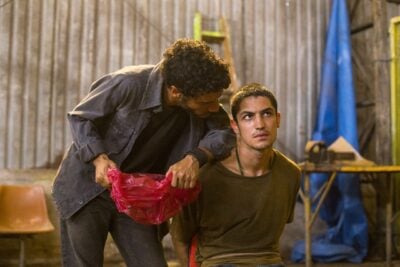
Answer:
[(51, 51)]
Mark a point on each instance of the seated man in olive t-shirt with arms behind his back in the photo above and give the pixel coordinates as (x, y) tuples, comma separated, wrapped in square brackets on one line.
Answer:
[(246, 199)]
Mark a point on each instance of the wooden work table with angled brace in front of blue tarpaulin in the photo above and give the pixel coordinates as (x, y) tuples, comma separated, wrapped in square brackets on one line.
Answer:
[(309, 216)]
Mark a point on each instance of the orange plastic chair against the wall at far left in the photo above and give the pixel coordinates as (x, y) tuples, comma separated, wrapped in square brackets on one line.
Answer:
[(23, 212)]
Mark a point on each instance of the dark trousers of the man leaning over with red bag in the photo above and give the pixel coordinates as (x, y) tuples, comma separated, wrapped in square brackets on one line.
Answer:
[(83, 237)]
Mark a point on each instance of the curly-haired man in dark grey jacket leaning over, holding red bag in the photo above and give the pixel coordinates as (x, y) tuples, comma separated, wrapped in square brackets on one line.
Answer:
[(162, 118)]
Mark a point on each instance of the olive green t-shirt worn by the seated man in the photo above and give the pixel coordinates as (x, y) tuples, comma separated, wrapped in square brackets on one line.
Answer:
[(238, 219)]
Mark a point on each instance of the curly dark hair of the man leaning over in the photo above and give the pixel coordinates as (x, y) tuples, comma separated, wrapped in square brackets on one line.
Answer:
[(193, 68)]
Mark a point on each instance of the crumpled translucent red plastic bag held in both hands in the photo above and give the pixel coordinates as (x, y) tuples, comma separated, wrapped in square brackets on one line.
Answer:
[(148, 198)]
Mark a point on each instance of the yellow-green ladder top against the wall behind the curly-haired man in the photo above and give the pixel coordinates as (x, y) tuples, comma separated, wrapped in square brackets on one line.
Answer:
[(220, 36)]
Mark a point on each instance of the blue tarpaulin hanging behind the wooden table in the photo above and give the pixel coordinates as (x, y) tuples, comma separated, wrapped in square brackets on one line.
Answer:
[(346, 237)]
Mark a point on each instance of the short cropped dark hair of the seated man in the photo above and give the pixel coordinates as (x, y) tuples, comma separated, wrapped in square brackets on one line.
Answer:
[(252, 89)]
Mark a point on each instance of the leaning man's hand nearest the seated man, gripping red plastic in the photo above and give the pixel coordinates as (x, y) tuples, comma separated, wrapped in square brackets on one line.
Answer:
[(185, 172)]
